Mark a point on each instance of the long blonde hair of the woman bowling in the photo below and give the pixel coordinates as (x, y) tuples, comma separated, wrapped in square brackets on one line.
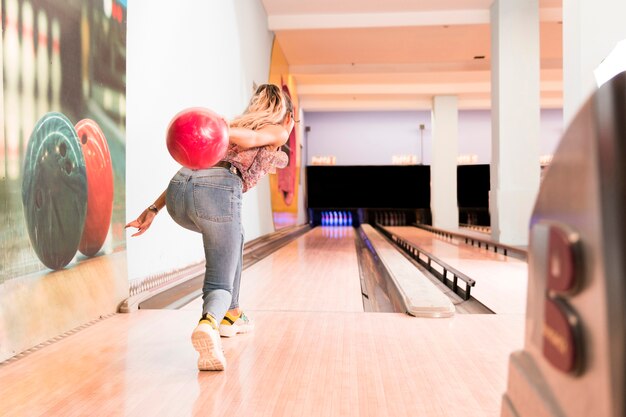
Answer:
[(268, 106)]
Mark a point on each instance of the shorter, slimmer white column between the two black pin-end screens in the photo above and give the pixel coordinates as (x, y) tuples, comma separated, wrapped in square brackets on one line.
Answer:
[(445, 144)]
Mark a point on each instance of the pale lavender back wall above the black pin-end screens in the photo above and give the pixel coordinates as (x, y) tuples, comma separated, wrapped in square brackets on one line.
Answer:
[(372, 138)]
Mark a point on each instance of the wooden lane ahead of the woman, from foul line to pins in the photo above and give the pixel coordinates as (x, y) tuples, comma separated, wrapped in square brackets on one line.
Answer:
[(317, 272)]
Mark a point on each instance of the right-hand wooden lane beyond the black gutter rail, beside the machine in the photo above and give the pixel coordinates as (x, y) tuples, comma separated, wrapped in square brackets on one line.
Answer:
[(501, 281)]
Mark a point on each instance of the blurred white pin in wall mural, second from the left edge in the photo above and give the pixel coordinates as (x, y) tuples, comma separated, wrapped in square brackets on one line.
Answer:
[(28, 74)]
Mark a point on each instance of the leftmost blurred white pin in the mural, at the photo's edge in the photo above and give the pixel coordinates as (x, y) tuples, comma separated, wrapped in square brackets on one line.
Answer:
[(12, 106)]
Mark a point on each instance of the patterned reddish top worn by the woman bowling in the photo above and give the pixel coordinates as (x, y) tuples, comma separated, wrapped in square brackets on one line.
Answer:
[(255, 163)]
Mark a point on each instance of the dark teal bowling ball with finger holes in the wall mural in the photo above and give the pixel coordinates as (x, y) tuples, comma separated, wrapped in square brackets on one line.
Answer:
[(54, 190)]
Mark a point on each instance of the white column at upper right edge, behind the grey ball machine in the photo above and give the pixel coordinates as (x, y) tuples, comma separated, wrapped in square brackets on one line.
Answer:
[(591, 29)]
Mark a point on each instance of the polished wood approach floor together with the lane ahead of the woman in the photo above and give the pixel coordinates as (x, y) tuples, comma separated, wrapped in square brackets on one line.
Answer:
[(313, 353)]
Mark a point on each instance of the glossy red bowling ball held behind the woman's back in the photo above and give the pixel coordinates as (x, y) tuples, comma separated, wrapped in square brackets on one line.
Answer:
[(197, 138)]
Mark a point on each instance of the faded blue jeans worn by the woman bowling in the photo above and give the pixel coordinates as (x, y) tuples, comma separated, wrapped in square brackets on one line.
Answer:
[(208, 201)]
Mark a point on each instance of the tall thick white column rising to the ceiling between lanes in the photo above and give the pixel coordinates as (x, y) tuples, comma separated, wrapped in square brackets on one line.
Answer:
[(515, 89)]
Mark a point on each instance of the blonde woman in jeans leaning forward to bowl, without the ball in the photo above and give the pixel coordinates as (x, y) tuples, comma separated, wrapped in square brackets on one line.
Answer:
[(208, 201)]
